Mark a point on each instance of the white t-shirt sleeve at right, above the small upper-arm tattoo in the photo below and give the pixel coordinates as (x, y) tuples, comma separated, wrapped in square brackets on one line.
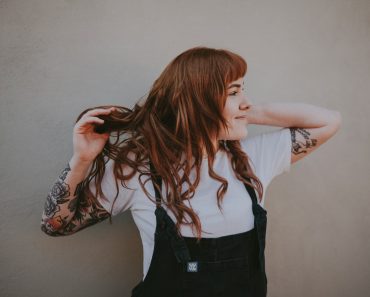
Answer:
[(270, 153)]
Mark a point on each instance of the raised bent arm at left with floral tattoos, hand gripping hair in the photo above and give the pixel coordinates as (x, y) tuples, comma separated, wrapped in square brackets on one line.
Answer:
[(65, 211)]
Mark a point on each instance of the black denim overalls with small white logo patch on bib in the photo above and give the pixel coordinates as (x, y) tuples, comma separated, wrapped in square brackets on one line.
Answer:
[(227, 266)]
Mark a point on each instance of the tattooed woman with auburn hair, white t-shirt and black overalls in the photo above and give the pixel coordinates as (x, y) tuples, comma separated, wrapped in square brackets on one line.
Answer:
[(182, 163)]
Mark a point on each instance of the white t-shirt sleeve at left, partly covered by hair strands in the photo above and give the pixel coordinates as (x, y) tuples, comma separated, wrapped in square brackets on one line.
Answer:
[(125, 196)]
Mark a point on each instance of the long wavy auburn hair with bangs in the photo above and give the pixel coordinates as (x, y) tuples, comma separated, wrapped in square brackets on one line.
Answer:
[(173, 127)]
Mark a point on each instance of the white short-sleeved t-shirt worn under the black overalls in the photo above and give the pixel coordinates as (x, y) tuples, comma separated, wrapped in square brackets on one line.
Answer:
[(270, 155)]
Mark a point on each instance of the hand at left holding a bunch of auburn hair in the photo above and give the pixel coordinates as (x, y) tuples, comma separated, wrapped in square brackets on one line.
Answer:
[(87, 144)]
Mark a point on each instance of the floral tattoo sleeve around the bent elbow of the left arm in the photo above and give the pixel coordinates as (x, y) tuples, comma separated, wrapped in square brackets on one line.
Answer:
[(65, 213)]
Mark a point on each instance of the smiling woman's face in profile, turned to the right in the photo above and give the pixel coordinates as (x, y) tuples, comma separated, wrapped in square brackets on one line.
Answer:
[(234, 112)]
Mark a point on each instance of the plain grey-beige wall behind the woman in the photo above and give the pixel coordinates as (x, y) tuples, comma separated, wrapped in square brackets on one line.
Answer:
[(60, 57)]
